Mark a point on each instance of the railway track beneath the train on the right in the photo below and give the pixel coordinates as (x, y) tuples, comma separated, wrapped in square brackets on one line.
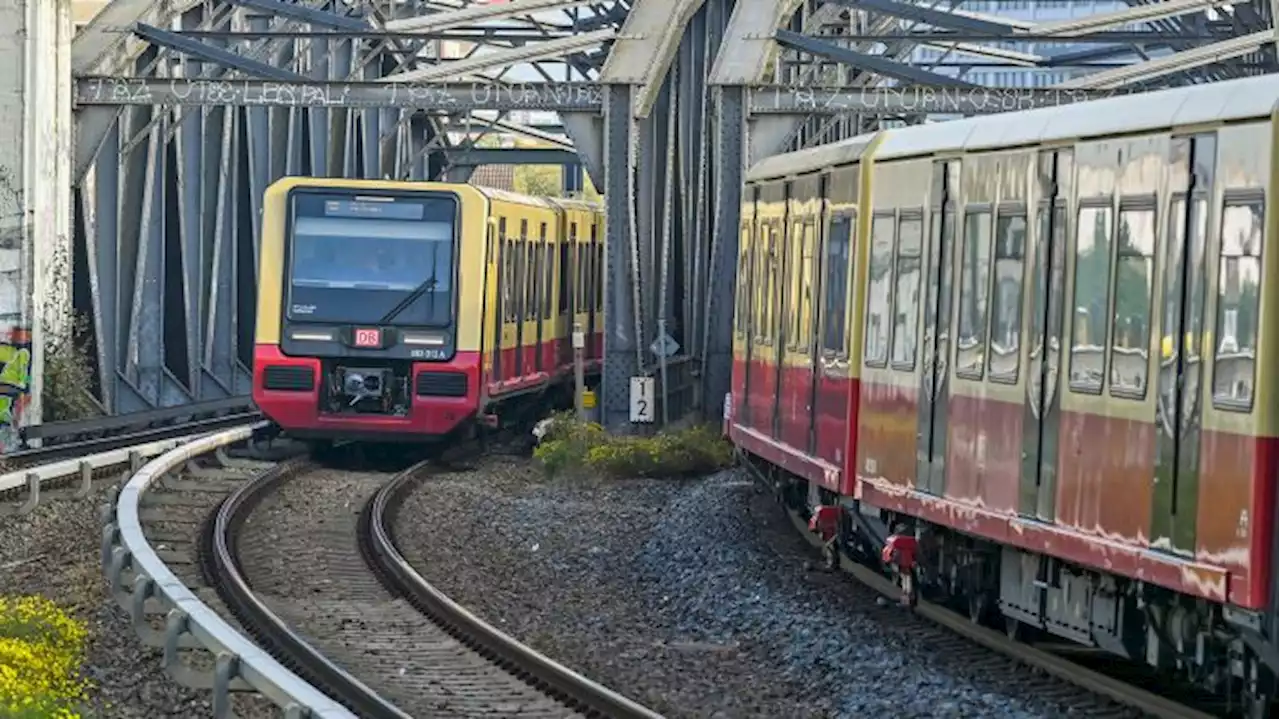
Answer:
[(985, 644)]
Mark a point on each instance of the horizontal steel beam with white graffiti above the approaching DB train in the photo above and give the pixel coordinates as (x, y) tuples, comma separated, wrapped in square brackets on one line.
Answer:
[(452, 98)]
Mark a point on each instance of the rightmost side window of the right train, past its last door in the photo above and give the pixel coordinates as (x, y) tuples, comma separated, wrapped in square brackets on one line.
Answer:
[(1240, 272)]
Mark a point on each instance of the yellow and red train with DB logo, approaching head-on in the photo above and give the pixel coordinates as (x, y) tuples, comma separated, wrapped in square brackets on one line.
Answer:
[(420, 312)]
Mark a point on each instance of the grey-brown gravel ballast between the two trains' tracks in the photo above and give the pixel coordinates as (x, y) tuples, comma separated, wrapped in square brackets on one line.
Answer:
[(694, 598)]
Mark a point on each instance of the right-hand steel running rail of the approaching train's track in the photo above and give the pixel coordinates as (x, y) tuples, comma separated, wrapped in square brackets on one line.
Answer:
[(473, 631)]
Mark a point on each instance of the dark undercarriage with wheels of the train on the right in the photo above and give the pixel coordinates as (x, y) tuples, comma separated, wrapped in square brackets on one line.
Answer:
[(1204, 647)]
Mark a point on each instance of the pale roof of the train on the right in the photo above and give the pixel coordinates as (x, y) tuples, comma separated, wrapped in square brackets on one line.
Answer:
[(1210, 103)]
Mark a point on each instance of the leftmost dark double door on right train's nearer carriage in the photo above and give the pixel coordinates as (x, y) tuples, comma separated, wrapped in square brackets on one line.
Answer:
[(936, 349)]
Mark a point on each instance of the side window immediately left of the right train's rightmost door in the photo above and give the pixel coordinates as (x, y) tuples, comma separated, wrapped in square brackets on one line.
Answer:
[(1131, 320)]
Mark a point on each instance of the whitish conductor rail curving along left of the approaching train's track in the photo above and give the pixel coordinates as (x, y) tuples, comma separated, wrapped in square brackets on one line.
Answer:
[(240, 663)]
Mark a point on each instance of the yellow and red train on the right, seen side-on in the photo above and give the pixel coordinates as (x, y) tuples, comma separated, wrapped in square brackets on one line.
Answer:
[(966, 328)]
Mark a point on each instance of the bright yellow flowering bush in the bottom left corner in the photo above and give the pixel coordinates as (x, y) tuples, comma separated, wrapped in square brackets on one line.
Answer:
[(42, 652)]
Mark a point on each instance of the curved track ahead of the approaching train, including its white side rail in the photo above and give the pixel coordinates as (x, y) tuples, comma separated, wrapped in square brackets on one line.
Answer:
[(313, 607)]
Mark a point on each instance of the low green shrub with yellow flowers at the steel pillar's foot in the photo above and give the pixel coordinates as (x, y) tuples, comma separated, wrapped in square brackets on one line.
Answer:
[(575, 447)]
